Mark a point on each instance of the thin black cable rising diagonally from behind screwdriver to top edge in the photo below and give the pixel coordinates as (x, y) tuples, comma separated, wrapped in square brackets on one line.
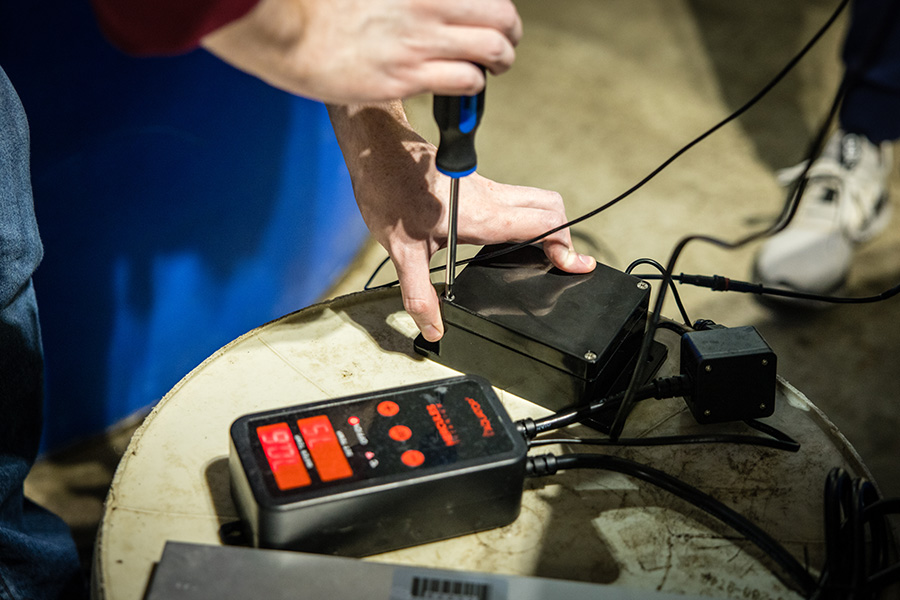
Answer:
[(734, 115)]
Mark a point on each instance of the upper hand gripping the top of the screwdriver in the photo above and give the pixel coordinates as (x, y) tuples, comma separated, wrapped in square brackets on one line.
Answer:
[(345, 51)]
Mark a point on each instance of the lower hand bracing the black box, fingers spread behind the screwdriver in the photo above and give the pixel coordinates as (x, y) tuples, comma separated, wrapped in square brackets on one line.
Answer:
[(403, 200)]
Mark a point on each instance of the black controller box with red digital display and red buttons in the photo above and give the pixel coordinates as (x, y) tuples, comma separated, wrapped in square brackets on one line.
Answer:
[(378, 471)]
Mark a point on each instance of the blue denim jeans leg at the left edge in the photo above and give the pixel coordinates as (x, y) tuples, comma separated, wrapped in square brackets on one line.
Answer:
[(38, 558)]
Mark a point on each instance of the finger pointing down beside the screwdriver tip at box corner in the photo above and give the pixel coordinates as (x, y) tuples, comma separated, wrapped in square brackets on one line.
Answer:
[(419, 297)]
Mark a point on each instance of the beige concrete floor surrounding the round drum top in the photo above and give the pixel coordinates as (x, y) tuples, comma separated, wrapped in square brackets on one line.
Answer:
[(602, 93)]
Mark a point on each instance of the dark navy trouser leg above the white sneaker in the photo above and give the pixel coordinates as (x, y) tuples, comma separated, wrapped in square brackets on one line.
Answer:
[(872, 104)]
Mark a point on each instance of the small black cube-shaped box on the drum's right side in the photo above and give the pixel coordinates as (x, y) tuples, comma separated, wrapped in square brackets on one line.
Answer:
[(732, 372)]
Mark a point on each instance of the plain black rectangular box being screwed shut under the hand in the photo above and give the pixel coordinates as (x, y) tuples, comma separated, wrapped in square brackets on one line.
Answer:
[(551, 337)]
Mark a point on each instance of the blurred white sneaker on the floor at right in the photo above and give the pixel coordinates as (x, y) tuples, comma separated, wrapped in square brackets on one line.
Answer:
[(845, 203)]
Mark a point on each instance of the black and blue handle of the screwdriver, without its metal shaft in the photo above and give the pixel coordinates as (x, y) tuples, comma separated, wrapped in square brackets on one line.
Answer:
[(458, 118)]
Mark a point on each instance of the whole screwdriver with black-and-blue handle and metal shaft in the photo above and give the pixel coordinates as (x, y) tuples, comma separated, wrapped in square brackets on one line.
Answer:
[(457, 118)]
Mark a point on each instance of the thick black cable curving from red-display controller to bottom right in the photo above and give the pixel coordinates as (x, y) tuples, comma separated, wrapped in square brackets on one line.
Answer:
[(548, 464)]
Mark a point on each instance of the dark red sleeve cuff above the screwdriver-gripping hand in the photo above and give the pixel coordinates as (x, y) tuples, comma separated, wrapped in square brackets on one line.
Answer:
[(165, 27)]
